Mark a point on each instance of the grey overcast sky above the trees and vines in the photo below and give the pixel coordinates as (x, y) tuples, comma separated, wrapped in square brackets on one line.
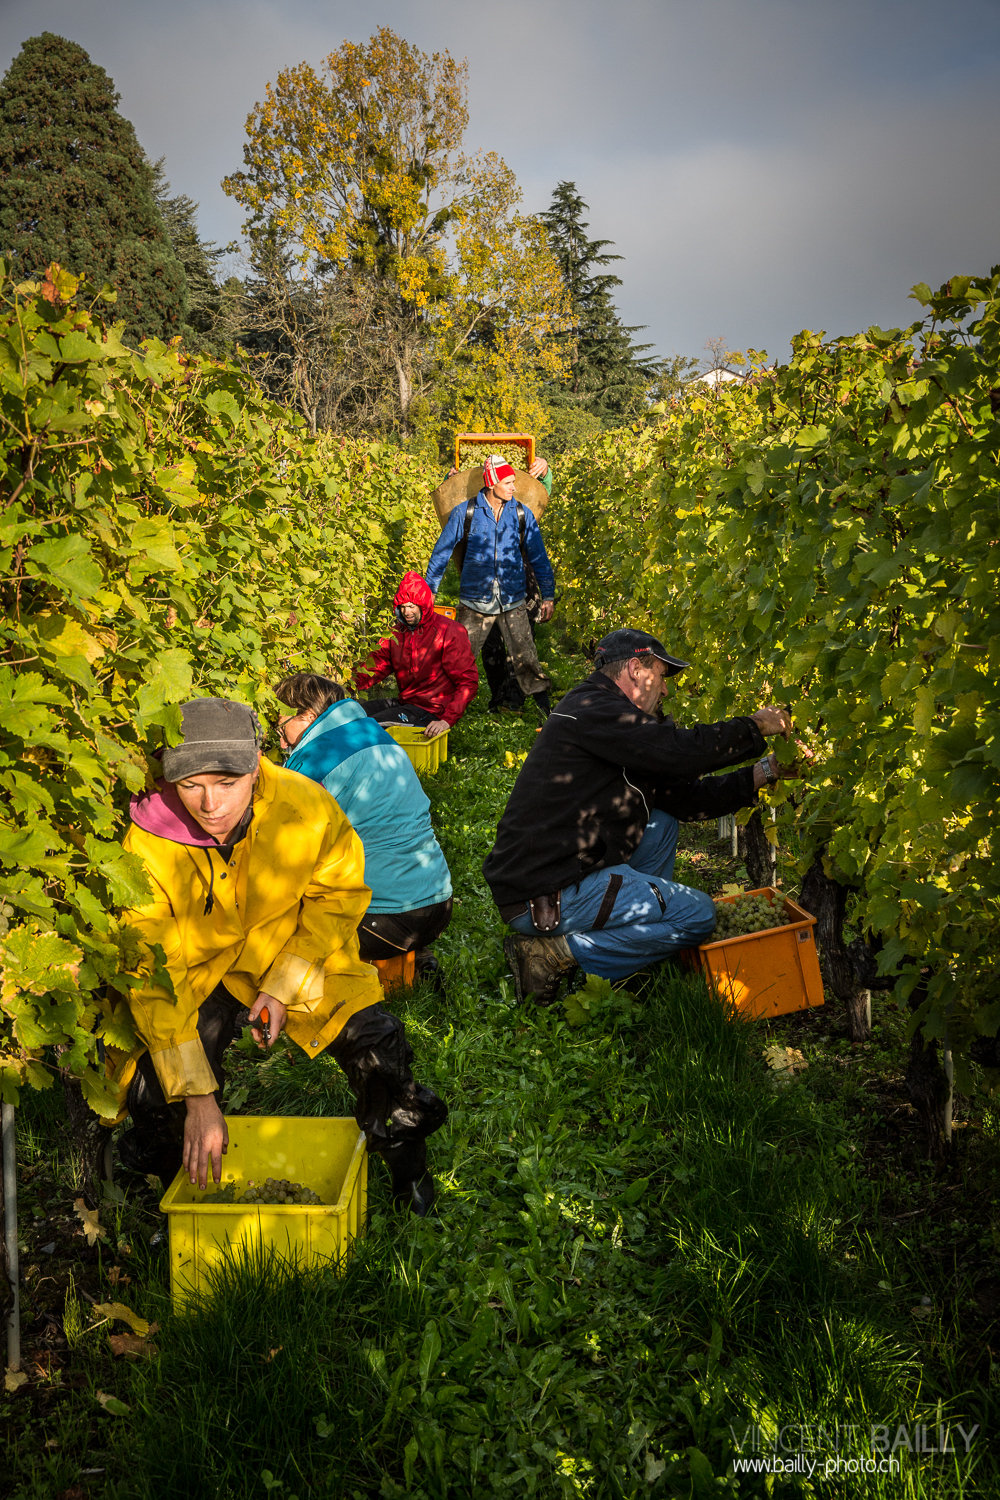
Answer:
[(764, 166)]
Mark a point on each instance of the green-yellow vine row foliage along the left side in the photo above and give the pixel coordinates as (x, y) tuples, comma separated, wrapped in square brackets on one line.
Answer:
[(166, 530)]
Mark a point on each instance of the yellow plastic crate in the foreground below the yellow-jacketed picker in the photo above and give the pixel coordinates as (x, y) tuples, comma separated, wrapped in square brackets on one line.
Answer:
[(329, 1156)]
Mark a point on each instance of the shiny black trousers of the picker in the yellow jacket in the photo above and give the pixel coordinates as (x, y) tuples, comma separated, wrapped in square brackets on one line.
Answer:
[(373, 1049)]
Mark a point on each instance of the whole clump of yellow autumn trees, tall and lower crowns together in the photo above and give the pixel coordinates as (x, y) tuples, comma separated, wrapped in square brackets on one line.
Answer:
[(356, 170)]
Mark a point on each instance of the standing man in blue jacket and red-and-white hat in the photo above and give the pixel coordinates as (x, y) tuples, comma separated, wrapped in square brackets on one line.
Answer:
[(494, 583)]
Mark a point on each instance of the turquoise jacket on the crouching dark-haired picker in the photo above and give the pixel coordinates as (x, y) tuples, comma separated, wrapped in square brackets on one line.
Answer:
[(373, 781)]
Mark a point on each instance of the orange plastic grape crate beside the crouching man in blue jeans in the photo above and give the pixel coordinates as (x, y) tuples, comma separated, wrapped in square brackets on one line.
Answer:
[(771, 973)]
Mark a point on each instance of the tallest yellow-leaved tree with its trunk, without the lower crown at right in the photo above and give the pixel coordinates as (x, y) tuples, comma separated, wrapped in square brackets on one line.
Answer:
[(346, 166)]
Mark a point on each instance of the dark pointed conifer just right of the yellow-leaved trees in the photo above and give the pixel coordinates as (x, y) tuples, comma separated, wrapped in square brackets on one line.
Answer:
[(609, 377)]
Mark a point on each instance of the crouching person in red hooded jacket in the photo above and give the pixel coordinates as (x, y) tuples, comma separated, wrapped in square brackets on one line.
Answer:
[(431, 659)]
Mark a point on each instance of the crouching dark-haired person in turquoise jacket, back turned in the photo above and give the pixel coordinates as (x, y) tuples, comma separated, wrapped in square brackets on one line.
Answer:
[(334, 742)]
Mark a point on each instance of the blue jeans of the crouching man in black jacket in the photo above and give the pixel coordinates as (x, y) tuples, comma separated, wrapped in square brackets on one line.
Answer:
[(651, 919)]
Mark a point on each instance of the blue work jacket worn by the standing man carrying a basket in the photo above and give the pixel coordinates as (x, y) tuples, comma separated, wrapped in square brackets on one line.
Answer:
[(494, 553)]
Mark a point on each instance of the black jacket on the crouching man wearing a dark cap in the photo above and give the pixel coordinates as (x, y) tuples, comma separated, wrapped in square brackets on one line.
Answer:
[(594, 776)]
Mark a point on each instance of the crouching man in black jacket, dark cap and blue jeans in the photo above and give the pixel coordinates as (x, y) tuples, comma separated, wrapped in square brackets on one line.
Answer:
[(582, 868)]
